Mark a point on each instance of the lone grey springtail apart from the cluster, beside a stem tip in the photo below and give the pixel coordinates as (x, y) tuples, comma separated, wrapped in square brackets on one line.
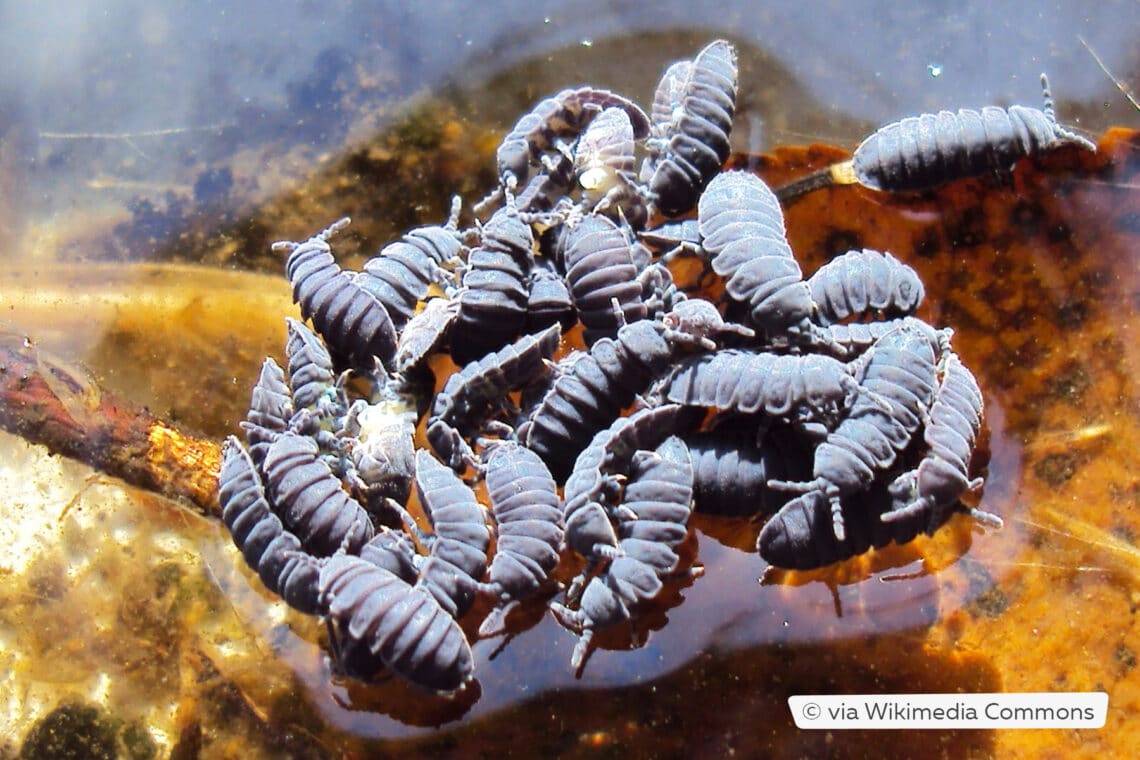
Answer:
[(924, 152)]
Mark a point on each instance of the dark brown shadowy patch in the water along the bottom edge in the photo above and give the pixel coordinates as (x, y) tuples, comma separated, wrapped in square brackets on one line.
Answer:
[(728, 704)]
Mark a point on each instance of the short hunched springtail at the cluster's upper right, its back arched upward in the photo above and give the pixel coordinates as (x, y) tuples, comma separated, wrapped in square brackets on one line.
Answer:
[(865, 284)]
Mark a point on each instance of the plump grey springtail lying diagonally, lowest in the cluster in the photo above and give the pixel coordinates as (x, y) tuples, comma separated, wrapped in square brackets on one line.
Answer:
[(379, 620)]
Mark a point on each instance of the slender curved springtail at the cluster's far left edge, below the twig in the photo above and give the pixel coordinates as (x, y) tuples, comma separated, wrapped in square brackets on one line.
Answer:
[(274, 553)]
